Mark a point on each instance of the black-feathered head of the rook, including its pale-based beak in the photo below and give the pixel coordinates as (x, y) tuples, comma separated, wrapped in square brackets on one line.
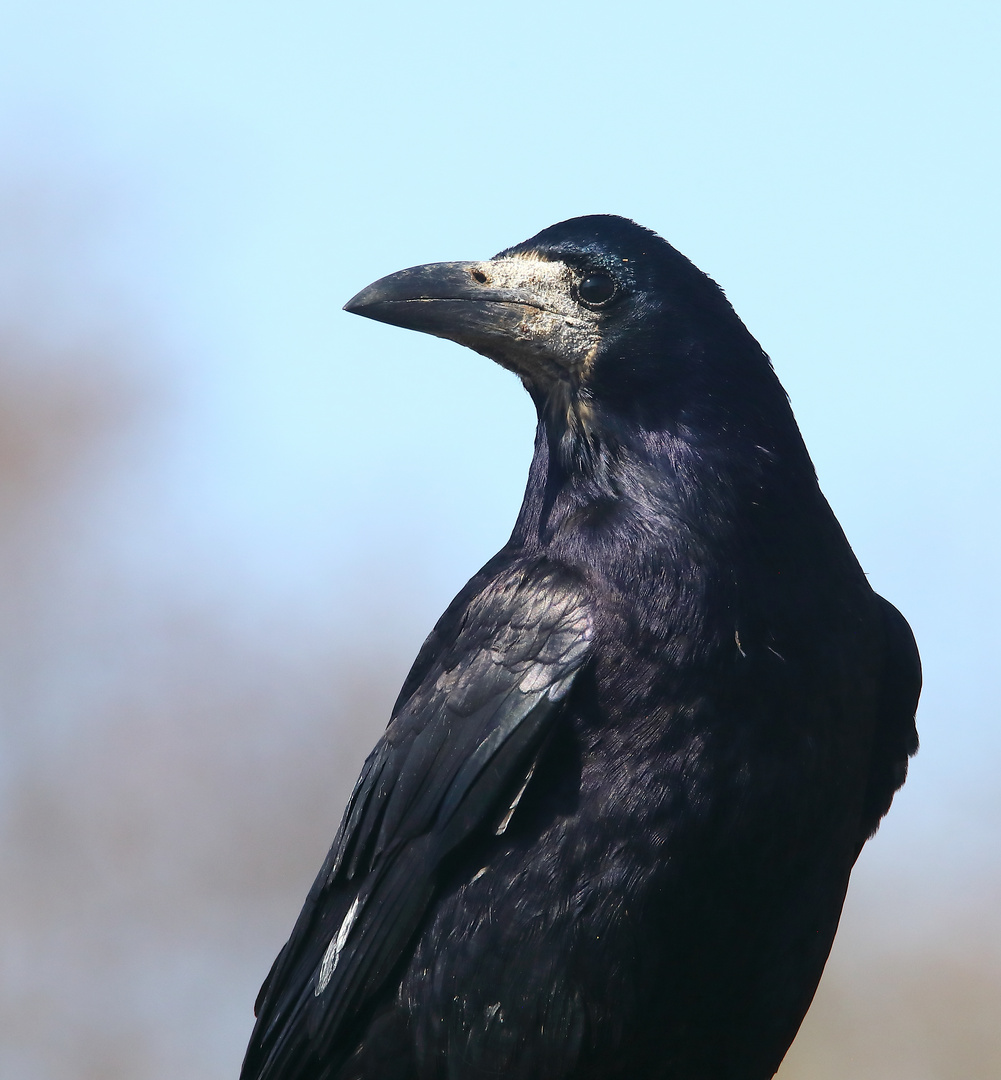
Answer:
[(596, 308)]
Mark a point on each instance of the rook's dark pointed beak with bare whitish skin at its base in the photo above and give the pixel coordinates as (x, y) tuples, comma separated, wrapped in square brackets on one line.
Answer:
[(515, 310)]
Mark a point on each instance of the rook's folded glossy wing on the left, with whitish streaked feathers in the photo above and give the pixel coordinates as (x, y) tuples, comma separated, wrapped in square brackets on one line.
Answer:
[(456, 759)]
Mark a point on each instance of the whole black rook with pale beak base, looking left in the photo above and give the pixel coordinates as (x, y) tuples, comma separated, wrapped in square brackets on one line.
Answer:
[(610, 829)]
